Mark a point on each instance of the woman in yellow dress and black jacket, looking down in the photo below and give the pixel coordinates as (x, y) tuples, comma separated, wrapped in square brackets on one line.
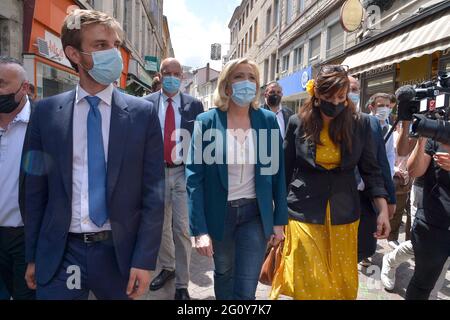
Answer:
[(324, 145)]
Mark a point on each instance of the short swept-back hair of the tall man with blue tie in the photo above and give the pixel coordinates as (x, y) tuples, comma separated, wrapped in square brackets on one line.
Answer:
[(77, 19)]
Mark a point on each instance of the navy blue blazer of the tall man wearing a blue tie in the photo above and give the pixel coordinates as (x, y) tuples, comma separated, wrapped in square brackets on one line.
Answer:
[(135, 183)]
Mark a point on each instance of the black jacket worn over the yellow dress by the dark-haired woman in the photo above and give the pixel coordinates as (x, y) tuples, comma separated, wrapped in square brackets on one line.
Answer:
[(312, 186)]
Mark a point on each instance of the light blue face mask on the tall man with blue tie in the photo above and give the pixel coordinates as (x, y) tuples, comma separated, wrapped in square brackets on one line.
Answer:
[(107, 66)]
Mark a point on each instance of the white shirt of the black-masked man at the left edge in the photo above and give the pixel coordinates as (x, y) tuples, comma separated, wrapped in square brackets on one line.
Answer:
[(11, 145)]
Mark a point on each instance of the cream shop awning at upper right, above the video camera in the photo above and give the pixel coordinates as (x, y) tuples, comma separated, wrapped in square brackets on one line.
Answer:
[(425, 37)]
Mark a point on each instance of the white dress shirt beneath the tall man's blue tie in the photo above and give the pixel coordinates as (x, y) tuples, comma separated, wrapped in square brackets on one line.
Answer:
[(81, 223)]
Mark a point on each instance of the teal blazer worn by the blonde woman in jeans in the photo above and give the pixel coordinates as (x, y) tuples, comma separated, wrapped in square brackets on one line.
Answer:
[(207, 185)]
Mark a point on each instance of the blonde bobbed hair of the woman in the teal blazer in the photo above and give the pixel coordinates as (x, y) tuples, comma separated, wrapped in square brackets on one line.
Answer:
[(221, 99)]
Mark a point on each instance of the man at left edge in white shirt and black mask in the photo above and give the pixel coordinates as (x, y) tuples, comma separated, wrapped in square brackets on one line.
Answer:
[(15, 112)]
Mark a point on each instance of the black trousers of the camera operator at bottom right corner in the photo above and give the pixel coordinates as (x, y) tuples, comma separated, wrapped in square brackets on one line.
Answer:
[(431, 249)]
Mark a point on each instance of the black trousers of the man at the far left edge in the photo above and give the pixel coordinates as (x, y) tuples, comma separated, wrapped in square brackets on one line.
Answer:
[(12, 264)]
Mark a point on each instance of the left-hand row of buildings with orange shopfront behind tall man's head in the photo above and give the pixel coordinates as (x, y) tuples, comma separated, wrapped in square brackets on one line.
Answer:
[(39, 21)]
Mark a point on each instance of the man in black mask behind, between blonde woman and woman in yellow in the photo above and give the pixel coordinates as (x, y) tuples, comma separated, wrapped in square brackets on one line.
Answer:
[(273, 95)]
